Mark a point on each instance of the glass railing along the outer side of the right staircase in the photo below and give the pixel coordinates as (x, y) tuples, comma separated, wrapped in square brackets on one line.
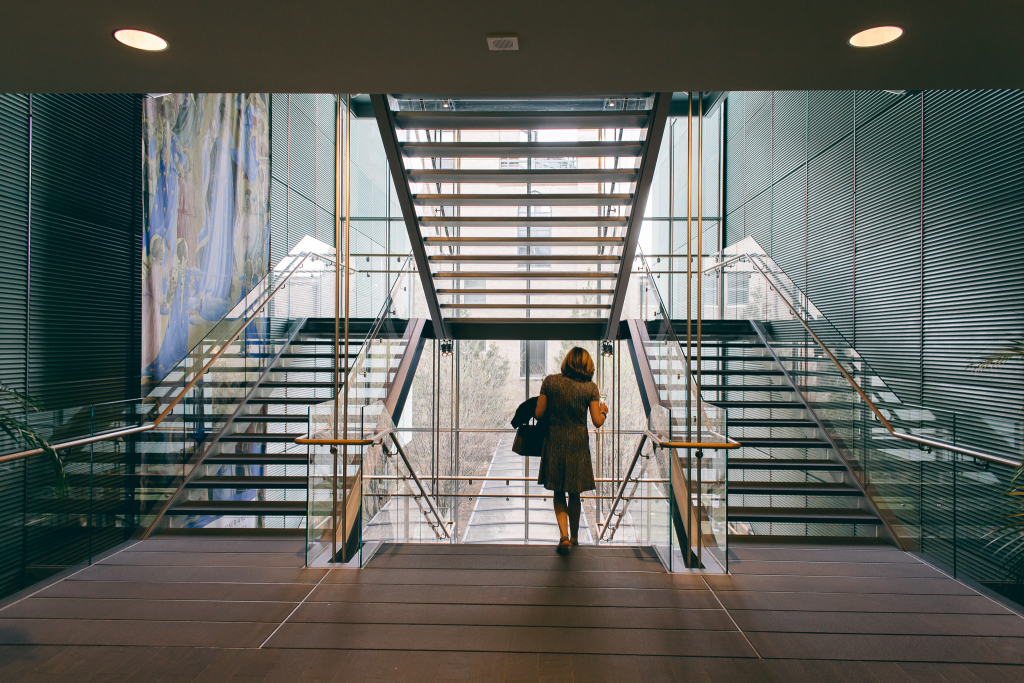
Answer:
[(949, 505)]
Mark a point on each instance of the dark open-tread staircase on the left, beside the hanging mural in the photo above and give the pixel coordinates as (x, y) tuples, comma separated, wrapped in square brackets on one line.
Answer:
[(253, 477)]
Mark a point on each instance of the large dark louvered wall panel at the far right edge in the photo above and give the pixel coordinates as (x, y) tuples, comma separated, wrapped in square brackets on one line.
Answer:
[(974, 220)]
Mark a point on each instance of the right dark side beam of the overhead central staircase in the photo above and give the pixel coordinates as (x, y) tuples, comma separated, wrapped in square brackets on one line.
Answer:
[(656, 131)]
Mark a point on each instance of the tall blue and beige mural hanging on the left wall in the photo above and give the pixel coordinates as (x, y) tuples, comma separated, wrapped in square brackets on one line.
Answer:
[(208, 202)]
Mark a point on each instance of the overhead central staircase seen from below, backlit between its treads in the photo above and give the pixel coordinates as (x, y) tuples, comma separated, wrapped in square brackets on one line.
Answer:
[(523, 209)]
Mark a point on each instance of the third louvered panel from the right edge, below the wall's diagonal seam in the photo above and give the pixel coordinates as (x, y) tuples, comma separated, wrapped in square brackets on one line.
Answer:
[(830, 235)]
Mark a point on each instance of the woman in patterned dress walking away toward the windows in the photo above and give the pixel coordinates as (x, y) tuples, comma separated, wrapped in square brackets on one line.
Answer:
[(566, 466)]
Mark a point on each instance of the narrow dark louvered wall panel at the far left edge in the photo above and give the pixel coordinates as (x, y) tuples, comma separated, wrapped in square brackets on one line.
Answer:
[(14, 280)]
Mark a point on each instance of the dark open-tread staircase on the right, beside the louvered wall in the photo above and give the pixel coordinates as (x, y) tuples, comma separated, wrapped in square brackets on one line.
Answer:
[(786, 482)]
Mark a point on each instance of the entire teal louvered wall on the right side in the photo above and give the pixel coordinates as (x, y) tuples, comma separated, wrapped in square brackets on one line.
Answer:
[(964, 245)]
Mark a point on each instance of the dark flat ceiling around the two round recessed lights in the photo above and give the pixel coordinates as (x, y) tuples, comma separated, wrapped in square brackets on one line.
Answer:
[(567, 47)]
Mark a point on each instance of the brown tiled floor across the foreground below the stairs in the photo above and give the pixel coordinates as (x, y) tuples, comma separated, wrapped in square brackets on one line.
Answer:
[(220, 610)]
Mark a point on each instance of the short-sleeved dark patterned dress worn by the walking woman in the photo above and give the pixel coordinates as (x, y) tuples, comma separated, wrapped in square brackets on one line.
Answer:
[(566, 461)]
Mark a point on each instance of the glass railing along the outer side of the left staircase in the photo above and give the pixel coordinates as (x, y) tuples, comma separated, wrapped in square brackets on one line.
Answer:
[(117, 484)]
